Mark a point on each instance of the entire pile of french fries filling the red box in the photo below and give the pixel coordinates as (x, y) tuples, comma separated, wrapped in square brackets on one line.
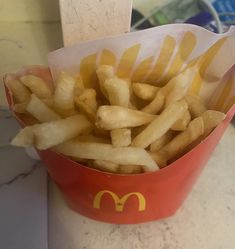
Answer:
[(118, 127)]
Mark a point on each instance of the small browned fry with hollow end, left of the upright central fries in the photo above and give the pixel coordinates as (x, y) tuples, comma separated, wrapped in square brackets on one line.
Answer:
[(86, 102)]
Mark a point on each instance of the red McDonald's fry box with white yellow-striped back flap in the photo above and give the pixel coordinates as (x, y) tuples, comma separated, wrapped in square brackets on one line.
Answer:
[(158, 53)]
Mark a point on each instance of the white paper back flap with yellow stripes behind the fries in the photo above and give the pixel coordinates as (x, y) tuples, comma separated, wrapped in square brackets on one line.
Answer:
[(155, 56)]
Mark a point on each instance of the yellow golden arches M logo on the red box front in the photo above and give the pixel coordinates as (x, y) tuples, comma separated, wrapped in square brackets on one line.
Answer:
[(119, 201)]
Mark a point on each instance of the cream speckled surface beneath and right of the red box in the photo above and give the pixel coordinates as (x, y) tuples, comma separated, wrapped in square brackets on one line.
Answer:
[(205, 221)]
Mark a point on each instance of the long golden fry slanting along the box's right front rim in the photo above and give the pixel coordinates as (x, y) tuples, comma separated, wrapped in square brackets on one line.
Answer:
[(178, 144)]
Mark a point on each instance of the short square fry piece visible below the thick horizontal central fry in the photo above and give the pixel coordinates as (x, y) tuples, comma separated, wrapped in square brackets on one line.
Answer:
[(121, 137)]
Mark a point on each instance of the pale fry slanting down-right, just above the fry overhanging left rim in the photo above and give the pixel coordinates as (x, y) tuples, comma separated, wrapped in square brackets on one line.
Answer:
[(40, 110)]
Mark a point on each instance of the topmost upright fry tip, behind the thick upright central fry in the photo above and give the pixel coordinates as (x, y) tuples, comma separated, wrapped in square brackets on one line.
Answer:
[(104, 72)]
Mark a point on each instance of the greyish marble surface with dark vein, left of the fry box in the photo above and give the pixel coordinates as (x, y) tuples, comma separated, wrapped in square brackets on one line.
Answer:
[(23, 194)]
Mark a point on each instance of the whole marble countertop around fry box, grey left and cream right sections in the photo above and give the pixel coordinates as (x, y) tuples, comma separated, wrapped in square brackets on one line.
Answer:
[(205, 221)]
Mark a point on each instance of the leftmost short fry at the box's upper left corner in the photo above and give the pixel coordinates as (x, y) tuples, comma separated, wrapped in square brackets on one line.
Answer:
[(20, 92)]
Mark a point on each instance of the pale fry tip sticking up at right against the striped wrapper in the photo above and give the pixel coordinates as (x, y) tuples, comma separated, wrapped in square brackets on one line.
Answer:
[(178, 86)]
